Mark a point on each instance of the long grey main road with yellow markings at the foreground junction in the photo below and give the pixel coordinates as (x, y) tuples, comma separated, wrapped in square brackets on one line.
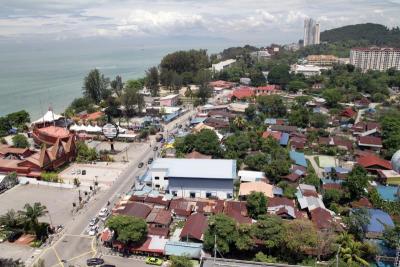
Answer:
[(73, 247)]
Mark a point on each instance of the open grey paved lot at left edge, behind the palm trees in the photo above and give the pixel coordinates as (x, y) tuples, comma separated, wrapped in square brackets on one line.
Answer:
[(57, 200)]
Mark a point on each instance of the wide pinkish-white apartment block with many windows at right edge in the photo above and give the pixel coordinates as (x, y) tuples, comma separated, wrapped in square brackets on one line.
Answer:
[(375, 58)]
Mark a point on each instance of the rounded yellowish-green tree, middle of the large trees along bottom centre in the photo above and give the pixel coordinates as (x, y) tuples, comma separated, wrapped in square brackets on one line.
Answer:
[(269, 229)]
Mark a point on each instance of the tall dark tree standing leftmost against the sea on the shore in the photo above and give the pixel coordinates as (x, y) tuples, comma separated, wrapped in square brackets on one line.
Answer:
[(95, 85)]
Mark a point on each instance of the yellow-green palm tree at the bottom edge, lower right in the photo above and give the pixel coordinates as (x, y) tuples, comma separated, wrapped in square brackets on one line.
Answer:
[(350, 250)]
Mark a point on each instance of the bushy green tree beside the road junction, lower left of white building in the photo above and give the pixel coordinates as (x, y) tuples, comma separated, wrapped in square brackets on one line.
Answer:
[(129, 229)]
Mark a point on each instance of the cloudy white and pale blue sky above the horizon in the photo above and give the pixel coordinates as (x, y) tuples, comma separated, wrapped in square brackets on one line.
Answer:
[(245, 21)]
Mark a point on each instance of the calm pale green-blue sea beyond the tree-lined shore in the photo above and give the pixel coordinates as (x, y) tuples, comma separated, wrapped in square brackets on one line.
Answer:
[(36, 76)]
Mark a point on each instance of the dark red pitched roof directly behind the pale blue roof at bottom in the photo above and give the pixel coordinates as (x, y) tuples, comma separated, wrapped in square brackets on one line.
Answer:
[(195, 227)]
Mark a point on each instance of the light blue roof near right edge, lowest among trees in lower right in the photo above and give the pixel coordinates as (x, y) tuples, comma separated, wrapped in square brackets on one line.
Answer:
[(378, 220)]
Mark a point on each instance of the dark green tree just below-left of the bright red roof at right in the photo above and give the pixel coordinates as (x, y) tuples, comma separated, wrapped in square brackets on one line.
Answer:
[(357, 182)]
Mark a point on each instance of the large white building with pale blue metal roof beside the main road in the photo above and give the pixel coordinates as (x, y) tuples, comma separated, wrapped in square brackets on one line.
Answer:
[(194, 178)]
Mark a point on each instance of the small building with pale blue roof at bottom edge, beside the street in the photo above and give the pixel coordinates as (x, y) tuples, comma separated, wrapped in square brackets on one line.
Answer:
[(188, 249)]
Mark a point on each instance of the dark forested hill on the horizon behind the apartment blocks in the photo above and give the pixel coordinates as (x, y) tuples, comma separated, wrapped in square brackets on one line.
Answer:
[(363, 34)]
